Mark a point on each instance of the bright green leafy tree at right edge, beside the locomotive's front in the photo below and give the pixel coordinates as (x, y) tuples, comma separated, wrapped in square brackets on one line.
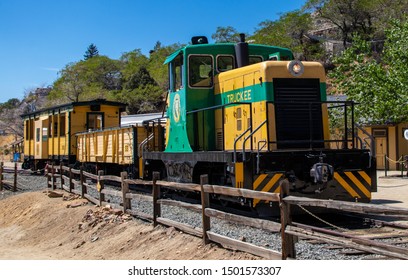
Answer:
[(380, 86)]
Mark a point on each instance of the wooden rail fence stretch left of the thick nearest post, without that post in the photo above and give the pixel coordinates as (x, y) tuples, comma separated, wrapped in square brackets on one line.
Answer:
[(75, 181)]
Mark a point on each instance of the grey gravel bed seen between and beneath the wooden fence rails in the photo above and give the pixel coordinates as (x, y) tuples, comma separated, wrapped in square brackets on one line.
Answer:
[(304, 250)]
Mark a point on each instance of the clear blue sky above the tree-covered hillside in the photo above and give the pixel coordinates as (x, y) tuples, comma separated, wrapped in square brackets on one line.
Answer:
[(39, 37)]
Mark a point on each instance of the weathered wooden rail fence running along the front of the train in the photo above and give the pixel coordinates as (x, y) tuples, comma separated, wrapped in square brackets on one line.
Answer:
[(75, 181)]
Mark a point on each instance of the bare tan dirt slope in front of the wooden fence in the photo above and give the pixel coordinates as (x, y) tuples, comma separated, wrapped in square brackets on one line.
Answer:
[(35, 226)]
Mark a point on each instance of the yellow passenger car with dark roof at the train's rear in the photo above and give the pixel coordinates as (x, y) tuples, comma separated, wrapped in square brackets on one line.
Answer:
[(49, 134)]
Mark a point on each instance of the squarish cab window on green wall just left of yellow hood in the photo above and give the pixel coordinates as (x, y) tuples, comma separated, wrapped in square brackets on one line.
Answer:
[(200, 71)]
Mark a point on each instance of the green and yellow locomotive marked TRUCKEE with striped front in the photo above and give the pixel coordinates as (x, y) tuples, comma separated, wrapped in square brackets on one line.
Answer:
[(249, 115)]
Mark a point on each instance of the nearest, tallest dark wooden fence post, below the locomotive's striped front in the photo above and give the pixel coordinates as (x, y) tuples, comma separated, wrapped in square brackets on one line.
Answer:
[(288, 245)]
